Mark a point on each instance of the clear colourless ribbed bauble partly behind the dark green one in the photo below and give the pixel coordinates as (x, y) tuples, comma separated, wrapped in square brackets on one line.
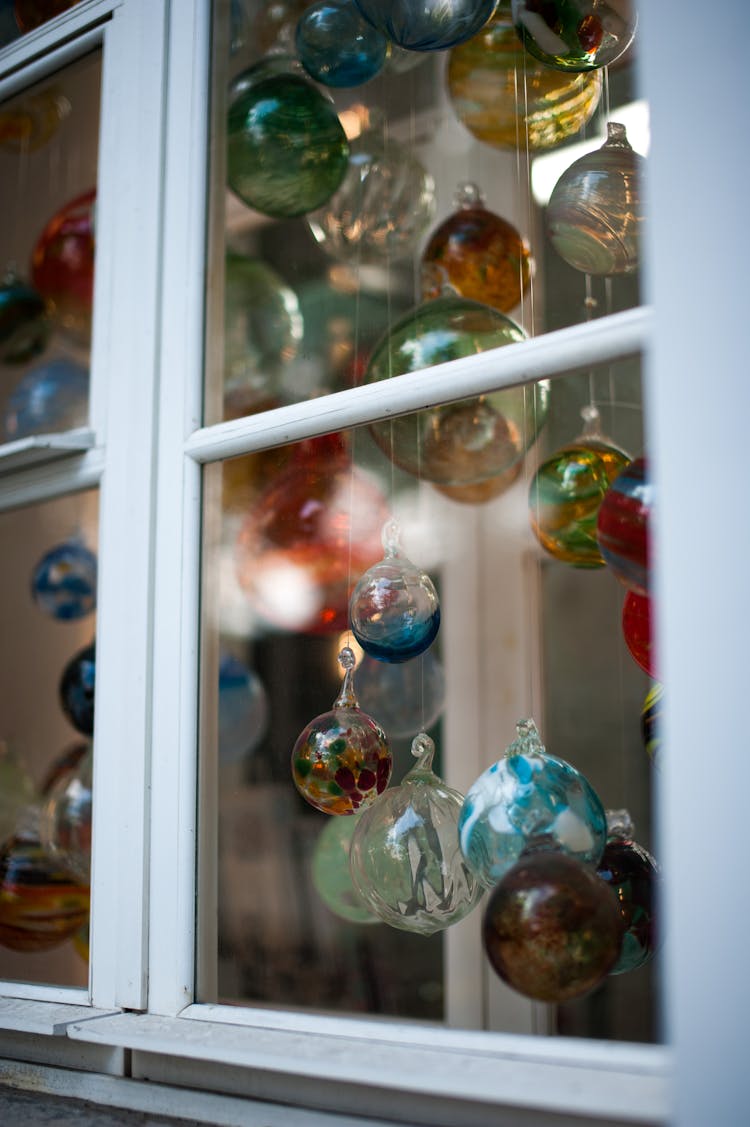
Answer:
[(384, 207)]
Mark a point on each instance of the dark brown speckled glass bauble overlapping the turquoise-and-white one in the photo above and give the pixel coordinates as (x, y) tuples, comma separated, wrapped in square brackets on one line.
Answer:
[(552, 928)]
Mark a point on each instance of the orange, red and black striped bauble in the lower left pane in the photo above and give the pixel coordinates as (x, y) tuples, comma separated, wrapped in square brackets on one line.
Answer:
[(41, 906)]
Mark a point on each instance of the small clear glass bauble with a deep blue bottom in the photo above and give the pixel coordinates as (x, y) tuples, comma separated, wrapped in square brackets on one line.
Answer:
[(394, 610)]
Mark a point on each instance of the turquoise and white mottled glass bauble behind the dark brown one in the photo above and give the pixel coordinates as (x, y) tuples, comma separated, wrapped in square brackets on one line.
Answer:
[(523, 796)]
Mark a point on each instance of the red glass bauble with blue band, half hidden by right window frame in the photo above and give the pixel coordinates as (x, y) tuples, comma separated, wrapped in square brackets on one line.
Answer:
[(623, 526)]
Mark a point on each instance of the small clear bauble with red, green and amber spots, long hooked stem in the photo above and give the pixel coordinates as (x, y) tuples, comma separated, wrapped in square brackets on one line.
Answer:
[(341, 761)]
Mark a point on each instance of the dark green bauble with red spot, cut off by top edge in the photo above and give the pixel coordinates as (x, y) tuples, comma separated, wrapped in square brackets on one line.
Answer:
[(576, 36)]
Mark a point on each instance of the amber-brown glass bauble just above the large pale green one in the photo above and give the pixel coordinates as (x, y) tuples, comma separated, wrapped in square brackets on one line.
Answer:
[(479, 254)]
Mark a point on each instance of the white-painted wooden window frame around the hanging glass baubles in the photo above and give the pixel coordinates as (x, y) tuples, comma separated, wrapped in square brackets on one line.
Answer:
[(139, 1017)]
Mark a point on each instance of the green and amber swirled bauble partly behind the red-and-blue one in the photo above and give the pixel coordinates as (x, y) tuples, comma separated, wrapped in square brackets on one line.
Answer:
[(567, 492)]
